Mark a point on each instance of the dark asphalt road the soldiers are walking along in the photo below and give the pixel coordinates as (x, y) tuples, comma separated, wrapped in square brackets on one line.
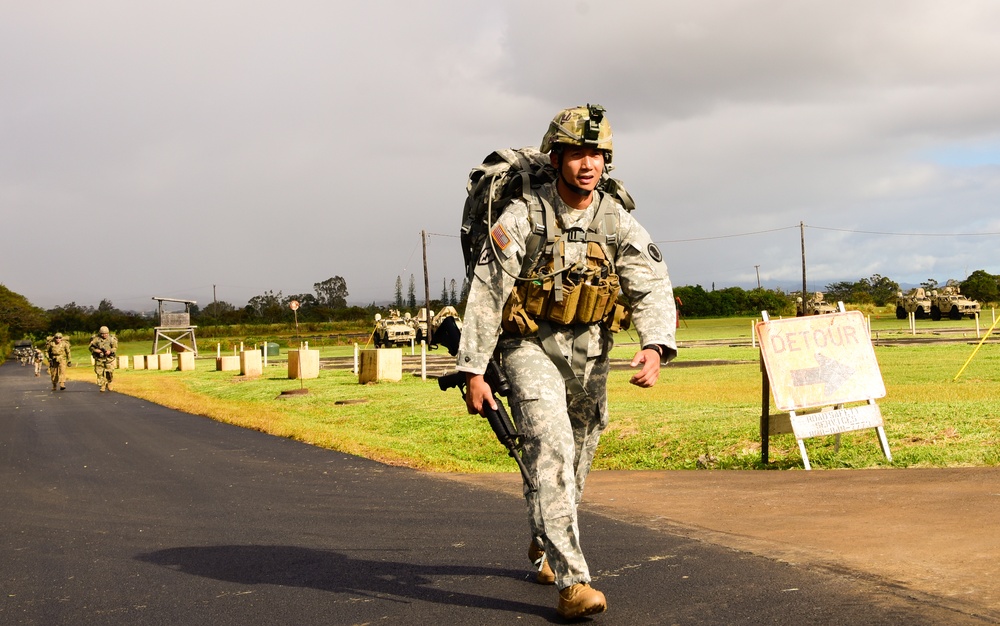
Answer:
[(117, 511)]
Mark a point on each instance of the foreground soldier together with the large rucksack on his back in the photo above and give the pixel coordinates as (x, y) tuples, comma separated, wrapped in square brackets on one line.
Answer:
[(558, 246)]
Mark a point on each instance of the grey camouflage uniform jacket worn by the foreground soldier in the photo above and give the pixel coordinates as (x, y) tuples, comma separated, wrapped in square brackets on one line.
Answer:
[(638, 263)]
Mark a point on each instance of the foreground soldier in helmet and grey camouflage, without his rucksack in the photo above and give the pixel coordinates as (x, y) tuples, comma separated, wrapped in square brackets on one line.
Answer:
[(562, 414)]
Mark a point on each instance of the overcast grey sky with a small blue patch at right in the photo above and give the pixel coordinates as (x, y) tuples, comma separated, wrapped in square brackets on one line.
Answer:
[(160, 149)]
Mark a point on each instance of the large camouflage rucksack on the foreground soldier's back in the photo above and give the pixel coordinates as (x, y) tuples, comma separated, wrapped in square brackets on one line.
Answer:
[(503, 176)]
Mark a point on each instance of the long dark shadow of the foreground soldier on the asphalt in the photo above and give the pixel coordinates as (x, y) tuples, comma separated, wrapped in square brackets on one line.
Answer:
[(331, 571)]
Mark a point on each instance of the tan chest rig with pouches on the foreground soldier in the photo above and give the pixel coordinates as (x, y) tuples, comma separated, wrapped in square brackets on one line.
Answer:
[(552, 292)]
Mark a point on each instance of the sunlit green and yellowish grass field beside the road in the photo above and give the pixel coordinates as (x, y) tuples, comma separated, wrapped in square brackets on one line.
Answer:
[(696, 417)]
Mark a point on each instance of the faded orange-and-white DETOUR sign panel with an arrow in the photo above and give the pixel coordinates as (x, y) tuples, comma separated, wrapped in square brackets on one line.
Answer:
[(819, 360)]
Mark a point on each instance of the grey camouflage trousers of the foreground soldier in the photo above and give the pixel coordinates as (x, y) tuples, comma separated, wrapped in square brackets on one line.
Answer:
[(560, 436)]
